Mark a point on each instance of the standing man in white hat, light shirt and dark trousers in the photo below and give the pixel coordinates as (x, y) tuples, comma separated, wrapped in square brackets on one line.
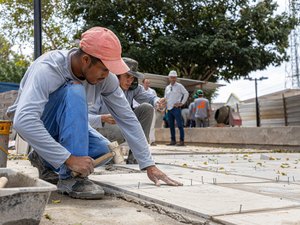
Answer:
[(176, 96)]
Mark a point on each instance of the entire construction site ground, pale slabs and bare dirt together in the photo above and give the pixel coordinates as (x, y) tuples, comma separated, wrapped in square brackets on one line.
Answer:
[(221, 186)]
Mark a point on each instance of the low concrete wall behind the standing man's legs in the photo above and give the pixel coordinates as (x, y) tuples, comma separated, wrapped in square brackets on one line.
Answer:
[(272, 136)]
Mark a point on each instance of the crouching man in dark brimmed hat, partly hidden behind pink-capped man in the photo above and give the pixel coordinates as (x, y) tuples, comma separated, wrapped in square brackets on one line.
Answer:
[(133, 91)]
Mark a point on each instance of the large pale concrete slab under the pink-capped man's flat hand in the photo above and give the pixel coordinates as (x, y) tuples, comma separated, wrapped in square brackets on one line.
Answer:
[(198, 199)]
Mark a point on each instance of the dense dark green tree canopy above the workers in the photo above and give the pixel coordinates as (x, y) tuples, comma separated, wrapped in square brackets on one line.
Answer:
[(202, 40)]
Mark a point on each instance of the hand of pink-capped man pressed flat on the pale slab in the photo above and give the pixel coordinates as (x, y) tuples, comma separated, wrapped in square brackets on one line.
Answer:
[(156, 175)]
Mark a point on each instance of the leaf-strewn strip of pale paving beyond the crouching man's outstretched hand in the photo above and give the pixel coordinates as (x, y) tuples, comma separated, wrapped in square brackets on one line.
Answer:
[(283, 165)]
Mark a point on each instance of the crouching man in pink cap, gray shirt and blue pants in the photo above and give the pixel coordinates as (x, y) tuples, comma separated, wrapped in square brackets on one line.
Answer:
[(50, 112)]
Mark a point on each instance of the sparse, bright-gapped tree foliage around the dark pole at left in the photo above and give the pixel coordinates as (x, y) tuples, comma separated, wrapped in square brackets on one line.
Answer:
[(16, 25)]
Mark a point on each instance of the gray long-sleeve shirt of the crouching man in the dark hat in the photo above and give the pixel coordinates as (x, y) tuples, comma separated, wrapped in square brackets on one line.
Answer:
[(139, 94)]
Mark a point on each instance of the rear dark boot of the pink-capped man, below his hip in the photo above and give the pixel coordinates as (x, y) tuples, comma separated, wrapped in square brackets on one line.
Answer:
[(45, 173)]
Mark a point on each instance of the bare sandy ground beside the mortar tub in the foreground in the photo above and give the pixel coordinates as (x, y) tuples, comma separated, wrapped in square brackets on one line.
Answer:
[(111, 210)]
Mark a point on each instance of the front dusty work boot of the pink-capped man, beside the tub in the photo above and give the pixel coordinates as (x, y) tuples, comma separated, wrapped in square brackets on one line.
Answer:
[(80, 187)]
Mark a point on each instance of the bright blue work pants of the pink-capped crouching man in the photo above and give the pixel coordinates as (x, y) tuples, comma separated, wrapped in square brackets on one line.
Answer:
[(66, 118)]
